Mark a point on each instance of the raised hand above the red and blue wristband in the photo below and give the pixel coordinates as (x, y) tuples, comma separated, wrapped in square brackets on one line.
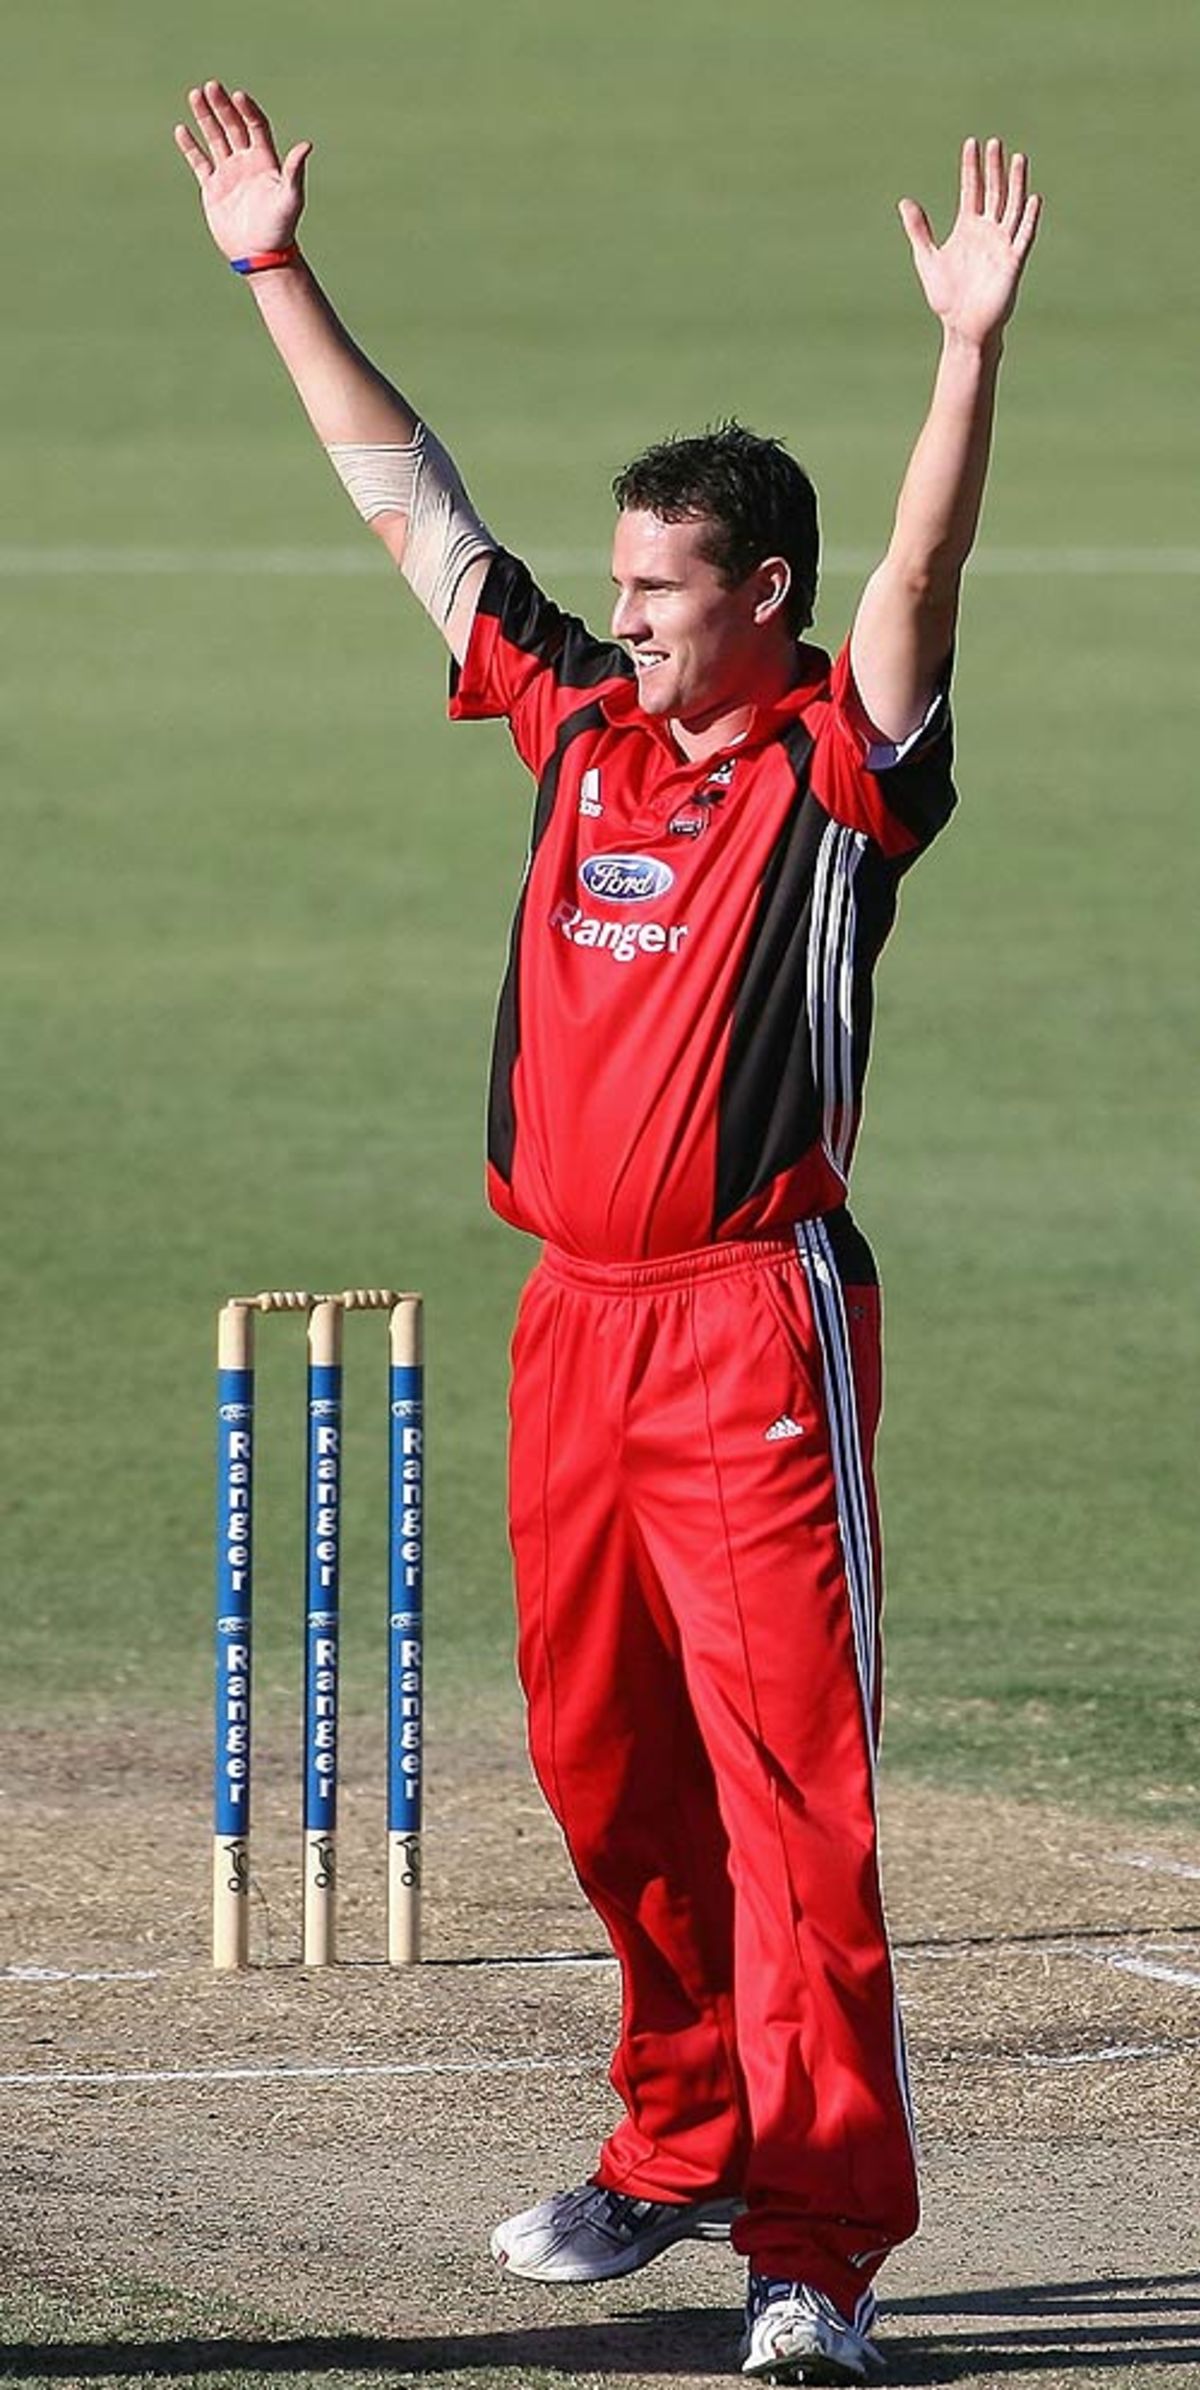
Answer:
[(250, 197)]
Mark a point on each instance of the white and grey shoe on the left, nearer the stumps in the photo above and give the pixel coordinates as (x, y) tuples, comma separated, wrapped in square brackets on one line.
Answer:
[(592, 2233)]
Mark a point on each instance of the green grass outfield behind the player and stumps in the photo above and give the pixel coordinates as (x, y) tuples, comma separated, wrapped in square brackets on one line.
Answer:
[(257, 893)]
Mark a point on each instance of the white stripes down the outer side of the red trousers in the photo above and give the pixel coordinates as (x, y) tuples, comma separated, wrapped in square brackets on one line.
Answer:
[(852, 1516)]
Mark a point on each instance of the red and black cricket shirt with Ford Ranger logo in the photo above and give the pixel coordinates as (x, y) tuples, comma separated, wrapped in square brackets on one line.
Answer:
[(685, 1022)]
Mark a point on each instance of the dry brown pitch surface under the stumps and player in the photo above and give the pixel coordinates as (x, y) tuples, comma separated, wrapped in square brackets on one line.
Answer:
[(305, 2169)]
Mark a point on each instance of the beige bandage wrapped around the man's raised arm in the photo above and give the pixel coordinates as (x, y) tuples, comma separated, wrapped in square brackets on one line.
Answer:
[(415, 498)]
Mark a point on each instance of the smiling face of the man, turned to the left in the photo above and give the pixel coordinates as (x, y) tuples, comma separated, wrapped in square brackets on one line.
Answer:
[(699, 649)]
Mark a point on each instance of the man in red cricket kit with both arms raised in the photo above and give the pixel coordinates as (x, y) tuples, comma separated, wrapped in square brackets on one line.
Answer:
[(721, 828)]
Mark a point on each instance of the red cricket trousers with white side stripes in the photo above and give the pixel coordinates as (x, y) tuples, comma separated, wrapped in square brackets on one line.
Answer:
[(699, 1641)]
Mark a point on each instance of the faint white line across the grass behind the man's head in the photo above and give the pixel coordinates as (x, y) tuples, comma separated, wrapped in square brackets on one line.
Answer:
[(348, 563)]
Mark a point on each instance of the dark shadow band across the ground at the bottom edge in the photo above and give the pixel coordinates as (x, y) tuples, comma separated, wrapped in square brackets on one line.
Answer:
[(1065, 2327)]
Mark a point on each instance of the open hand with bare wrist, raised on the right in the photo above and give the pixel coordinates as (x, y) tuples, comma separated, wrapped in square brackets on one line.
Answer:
[(974, 278)]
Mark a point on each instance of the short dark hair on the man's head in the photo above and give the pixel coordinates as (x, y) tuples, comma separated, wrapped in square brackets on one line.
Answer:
[(754, 496)]
